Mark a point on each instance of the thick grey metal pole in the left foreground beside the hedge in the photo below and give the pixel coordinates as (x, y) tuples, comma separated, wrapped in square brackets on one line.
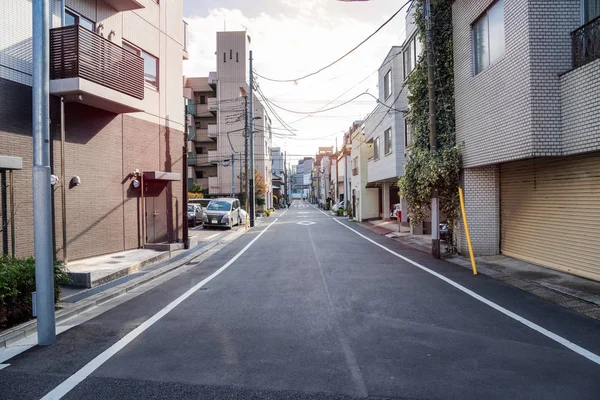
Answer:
[(42, 210)]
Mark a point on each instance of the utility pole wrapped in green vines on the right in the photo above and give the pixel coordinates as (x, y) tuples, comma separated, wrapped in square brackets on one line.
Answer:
[(435, 218)]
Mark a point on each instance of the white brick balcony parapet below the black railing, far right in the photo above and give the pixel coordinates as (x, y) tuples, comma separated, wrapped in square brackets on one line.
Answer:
[(581, 109)]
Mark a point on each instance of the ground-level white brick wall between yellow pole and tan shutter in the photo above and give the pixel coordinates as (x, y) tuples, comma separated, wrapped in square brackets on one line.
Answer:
[(481, 188)]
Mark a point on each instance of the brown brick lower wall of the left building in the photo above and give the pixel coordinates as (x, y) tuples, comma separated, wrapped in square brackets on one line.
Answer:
[(103, 213)]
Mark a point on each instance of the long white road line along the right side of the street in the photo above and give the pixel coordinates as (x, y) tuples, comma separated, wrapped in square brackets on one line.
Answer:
[(551, 335)]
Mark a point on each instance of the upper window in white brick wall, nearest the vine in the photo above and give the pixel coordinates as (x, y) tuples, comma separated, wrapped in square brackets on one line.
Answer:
[(488, 37)]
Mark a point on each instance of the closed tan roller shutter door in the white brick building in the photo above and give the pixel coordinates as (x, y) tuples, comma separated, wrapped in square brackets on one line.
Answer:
[(550, 213)]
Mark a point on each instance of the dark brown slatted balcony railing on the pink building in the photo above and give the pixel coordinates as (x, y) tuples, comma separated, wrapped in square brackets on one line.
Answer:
[(76, 52)]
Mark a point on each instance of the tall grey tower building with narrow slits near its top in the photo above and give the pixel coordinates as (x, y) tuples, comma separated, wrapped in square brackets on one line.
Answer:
[(230, 84)]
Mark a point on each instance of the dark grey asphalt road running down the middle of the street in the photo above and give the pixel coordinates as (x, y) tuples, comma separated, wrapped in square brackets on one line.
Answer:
[(304, 308)]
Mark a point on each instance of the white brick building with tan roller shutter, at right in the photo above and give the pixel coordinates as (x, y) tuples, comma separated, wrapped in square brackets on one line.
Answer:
[(527, 105)]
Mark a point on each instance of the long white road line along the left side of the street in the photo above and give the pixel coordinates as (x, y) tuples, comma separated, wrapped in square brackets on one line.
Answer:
[(75, 379)]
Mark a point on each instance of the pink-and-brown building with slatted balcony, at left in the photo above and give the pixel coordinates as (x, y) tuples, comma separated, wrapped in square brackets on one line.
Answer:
[(117, 64)]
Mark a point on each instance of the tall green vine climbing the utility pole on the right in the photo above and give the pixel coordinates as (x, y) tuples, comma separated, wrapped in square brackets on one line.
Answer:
[(424, 170)]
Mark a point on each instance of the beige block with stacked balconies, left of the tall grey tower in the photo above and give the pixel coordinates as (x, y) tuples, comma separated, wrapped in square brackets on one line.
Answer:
[(202, 107)]
